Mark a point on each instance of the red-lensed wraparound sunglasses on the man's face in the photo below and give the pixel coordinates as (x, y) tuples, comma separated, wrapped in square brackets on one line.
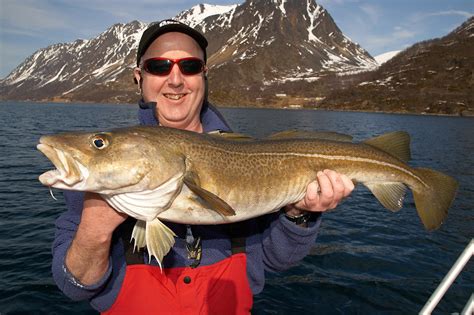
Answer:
[(163, 66)]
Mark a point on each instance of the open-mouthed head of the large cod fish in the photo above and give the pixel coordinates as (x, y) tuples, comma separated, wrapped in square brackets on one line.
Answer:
[(107, 162)]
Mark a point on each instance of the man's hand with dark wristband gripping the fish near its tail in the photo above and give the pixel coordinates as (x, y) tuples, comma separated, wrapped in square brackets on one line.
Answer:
[(323, 194)]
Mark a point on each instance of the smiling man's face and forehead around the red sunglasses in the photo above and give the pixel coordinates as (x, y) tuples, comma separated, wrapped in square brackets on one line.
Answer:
[(179, 97)]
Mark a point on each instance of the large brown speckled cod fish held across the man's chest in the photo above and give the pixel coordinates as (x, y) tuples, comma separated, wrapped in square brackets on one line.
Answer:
[(158, 173)]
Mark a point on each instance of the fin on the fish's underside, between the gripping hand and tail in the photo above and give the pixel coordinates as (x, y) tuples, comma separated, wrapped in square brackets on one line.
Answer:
[(390, 195)]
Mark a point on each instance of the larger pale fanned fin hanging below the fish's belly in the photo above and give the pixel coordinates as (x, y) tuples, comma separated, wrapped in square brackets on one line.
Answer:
[(159, 239)]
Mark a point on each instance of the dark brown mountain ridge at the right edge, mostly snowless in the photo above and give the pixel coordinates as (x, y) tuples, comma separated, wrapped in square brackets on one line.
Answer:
[(431, 77)]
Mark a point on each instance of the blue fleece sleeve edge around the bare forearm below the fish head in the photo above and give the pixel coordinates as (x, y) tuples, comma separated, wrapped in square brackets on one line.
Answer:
[(66, 227)]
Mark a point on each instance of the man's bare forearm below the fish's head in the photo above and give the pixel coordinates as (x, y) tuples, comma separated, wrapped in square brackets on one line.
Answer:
[(88, 256)]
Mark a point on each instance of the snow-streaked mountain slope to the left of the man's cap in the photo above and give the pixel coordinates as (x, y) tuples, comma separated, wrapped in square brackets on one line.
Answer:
[(84, 67)]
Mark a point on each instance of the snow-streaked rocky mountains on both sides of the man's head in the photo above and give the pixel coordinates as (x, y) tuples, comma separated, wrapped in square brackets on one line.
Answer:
[(257, 47)]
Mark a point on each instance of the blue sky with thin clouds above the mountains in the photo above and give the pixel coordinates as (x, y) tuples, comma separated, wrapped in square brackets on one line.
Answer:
[(377, 25)]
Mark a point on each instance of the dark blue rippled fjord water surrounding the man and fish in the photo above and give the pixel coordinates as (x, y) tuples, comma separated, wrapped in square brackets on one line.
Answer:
[(366, 259)]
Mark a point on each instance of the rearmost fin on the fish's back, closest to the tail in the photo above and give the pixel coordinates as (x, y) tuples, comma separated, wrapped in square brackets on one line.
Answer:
[(396, 143)]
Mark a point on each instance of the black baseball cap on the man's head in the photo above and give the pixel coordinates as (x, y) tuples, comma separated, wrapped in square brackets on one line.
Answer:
[(159, 28)]
